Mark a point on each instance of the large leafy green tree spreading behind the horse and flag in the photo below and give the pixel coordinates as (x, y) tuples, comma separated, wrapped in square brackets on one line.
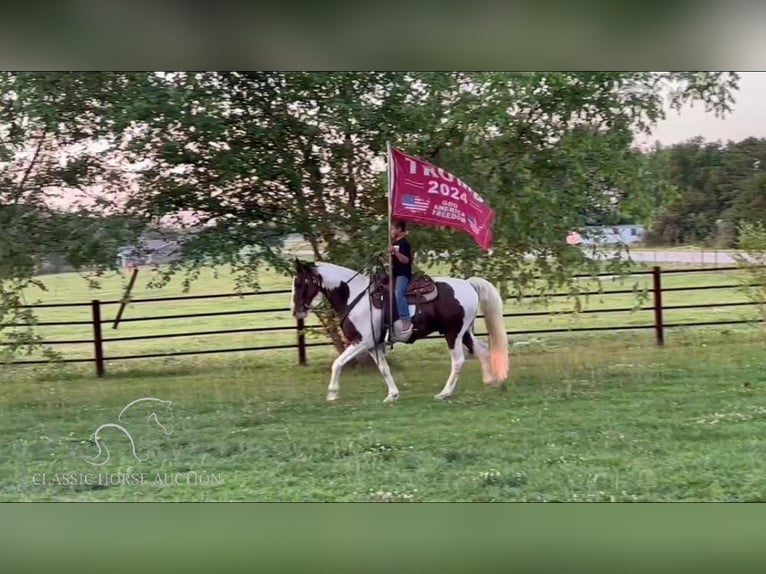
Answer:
[(245, 158)]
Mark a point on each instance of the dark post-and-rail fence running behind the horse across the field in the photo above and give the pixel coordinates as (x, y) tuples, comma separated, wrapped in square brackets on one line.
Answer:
[(99, 341)]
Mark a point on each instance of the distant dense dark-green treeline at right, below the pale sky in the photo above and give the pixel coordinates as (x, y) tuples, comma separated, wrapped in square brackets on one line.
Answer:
[(710, 189)]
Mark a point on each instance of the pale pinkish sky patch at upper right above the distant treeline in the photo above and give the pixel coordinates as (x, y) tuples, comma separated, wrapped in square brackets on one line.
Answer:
[(748, 117)]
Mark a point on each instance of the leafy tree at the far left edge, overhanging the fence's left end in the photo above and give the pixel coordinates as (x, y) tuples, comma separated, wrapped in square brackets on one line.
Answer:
[(44, 118)]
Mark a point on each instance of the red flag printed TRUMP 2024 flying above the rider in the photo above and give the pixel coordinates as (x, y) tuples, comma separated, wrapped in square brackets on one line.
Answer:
[(424, 193)]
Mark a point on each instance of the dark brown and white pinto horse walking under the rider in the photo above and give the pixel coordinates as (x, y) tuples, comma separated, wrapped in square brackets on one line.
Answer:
[(452, 313)]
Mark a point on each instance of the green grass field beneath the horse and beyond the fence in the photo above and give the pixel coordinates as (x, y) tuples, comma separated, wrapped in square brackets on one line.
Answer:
[(599, 417)]
